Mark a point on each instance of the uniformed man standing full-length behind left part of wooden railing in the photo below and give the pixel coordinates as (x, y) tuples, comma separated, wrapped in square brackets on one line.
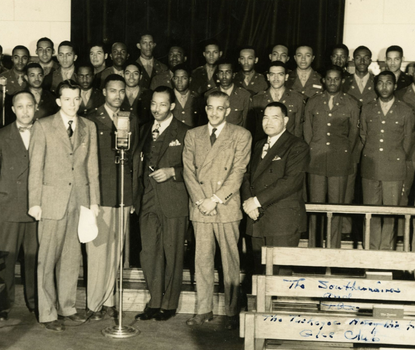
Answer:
[(331, 130)]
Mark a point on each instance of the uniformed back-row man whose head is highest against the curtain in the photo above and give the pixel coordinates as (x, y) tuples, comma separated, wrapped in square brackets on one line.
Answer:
[(150, 66)]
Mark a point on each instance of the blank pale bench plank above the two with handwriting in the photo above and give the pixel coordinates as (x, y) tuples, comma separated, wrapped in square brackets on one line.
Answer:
[(359, 259)]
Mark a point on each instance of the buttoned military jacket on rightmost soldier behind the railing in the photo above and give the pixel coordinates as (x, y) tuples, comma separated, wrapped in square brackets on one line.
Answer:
[(387, 141)]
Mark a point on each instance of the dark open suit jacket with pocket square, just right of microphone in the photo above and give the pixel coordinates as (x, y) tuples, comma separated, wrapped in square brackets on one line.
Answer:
[(171, 194)]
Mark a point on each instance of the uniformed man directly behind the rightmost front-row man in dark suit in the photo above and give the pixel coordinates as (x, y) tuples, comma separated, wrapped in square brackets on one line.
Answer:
[(277, 76)]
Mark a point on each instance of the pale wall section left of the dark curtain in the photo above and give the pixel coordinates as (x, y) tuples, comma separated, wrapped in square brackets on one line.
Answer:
[(23, 22)]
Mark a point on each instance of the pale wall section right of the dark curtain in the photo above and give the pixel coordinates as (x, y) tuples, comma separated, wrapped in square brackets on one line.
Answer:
[(378, 24)]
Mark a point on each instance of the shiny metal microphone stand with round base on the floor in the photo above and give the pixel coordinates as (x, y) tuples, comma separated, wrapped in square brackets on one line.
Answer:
[(120, 331)]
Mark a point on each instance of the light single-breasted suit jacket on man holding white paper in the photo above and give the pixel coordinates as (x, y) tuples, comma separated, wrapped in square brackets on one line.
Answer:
[(59, 170)]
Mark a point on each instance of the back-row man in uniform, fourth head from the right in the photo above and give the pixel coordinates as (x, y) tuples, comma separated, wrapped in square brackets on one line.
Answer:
[(304, 79)]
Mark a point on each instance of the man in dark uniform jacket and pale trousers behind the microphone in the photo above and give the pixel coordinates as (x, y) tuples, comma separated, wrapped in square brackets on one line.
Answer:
[(103, 252)]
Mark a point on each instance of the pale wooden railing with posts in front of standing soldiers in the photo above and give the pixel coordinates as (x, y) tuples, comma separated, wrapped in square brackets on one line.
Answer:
[(368, 211)]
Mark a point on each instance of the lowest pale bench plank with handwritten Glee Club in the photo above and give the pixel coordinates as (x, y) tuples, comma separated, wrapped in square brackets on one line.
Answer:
[(336, 328)]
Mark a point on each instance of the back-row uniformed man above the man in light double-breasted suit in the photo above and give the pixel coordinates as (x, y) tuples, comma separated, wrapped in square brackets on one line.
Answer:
[(204, 77)]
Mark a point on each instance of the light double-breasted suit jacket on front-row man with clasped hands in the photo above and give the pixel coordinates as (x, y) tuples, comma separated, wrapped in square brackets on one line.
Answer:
[(217, 169)]
